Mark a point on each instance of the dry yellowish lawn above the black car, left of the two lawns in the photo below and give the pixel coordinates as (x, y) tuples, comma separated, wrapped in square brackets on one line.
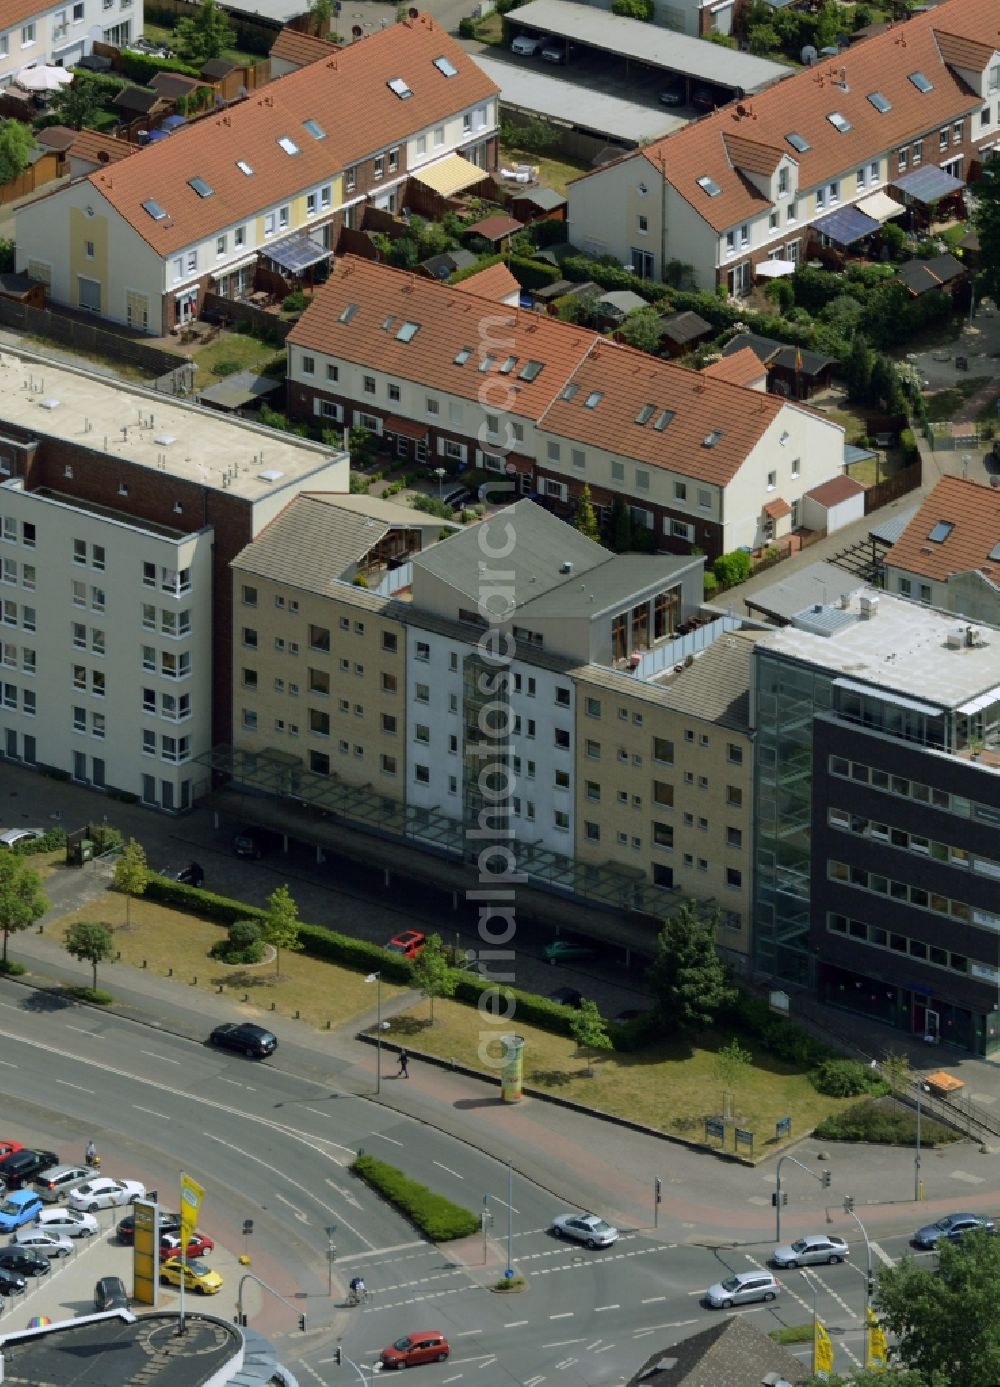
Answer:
[(167, 938)]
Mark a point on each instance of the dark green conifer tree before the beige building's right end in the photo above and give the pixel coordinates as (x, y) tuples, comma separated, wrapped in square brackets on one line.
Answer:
[(687, 979)]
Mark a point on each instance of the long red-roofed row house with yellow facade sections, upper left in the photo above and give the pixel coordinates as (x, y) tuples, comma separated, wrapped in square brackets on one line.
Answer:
[(141, 243)]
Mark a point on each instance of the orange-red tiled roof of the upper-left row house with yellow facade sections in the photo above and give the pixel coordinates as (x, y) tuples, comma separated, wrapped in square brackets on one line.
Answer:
[(347, 94)]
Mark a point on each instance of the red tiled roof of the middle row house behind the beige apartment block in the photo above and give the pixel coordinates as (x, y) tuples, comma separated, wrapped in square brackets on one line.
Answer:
[(708, 427)]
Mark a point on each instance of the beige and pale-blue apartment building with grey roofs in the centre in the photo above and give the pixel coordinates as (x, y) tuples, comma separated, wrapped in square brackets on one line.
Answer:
[(623, 768)]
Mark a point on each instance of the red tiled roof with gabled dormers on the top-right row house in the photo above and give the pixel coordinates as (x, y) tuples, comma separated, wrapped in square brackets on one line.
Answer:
[(715, 146)]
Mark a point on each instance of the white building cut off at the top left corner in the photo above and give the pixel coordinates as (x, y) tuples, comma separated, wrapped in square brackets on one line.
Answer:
[(63, 34)]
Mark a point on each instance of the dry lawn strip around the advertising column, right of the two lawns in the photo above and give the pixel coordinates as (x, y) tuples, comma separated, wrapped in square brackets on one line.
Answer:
[(671, 1085)]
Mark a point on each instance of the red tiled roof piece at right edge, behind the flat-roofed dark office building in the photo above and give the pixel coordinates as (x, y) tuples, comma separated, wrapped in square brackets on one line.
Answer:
[(974, 514)]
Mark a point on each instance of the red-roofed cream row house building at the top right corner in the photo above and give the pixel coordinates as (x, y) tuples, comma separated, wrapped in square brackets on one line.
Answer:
[(912, 112)]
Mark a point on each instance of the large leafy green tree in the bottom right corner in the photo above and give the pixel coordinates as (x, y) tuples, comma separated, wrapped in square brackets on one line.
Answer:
[(947, 1320)]
